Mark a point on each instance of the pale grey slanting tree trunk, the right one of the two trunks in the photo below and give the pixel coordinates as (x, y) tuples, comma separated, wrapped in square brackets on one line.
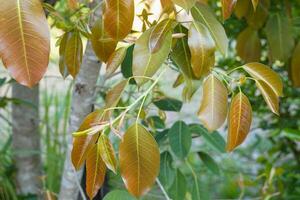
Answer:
[(82, 104)]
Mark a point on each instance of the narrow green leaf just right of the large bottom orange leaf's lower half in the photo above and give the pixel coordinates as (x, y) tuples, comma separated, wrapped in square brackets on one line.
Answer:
[(167, 172)]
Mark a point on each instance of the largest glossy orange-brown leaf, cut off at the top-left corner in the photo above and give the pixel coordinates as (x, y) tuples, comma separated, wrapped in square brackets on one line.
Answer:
[(25, 40)]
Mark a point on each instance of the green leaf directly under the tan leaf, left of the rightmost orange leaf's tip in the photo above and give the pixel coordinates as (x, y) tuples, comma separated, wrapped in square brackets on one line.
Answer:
[(214, 140)]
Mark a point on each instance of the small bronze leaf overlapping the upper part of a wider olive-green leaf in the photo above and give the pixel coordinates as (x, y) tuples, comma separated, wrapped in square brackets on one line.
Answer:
[(159, 34)]
